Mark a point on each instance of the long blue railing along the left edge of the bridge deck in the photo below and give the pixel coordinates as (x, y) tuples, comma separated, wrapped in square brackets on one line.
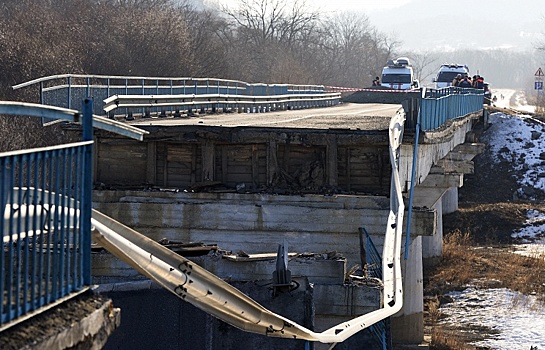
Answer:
[(68, 90)]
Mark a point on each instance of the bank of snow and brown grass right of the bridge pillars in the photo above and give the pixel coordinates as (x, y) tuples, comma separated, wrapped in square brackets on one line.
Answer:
[(494, 203)]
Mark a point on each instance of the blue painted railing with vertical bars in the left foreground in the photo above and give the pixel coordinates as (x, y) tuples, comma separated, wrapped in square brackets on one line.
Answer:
[(45, 198)]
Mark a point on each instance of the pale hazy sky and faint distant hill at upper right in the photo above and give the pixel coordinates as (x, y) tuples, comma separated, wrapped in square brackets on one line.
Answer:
[(428, 25)]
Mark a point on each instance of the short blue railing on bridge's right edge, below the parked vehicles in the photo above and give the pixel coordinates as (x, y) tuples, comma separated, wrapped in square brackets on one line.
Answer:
[(440, 105)]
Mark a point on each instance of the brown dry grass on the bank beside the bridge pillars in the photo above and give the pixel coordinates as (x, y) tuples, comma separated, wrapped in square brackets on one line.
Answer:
[(464, 263)]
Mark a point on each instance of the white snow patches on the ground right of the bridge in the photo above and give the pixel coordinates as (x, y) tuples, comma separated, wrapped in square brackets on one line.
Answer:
[(516, 321)]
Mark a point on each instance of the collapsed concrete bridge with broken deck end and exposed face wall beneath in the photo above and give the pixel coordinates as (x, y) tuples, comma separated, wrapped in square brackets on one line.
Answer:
[(237, 179)]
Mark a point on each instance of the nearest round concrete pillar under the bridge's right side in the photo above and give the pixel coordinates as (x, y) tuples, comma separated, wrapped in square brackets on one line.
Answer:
[(408, 324)]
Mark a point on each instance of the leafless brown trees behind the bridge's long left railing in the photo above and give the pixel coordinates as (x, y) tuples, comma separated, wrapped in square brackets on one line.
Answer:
[(270, 41)]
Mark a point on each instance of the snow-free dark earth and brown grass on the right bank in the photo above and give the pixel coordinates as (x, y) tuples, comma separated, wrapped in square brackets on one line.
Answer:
[(478, 246)]
